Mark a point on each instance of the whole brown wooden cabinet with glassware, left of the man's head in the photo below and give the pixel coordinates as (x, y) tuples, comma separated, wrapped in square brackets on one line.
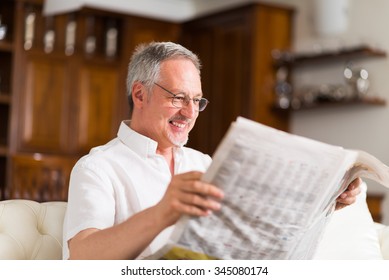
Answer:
[(68, 91)]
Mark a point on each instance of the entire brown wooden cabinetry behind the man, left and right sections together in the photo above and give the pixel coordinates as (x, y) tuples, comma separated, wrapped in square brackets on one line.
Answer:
[(66, 83)]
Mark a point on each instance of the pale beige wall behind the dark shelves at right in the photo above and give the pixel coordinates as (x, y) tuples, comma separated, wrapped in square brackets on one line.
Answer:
[(356, 127)]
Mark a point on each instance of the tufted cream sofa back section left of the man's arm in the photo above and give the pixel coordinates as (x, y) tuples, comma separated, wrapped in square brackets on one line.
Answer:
[(31, 230)]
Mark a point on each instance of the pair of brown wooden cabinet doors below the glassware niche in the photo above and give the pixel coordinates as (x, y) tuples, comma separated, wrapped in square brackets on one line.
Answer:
[(67, 108)]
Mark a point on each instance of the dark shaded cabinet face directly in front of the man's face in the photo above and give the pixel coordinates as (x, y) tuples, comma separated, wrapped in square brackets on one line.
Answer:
[(222, 42)]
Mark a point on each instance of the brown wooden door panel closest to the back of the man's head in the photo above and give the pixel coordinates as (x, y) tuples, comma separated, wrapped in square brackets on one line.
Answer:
[(98, 93)]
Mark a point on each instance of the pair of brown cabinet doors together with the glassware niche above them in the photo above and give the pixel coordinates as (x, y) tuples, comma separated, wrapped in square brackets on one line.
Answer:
[(68, 77)]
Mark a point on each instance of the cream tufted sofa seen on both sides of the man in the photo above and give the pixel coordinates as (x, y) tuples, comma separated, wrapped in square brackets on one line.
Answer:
[(33, 230)]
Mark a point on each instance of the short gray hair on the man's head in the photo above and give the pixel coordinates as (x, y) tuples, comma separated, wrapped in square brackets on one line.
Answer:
[(146, 61)]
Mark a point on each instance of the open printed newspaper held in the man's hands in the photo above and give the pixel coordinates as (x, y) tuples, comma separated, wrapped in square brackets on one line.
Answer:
[(280, 190)]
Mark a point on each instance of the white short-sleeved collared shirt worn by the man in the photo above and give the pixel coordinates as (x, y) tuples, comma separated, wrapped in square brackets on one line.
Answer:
[(119, 179)]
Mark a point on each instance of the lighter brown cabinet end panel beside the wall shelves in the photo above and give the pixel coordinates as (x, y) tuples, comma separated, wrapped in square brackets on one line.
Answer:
[(278, 36)]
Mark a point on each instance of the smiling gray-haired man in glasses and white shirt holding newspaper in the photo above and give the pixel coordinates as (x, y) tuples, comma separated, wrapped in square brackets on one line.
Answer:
[(126, 196)]
